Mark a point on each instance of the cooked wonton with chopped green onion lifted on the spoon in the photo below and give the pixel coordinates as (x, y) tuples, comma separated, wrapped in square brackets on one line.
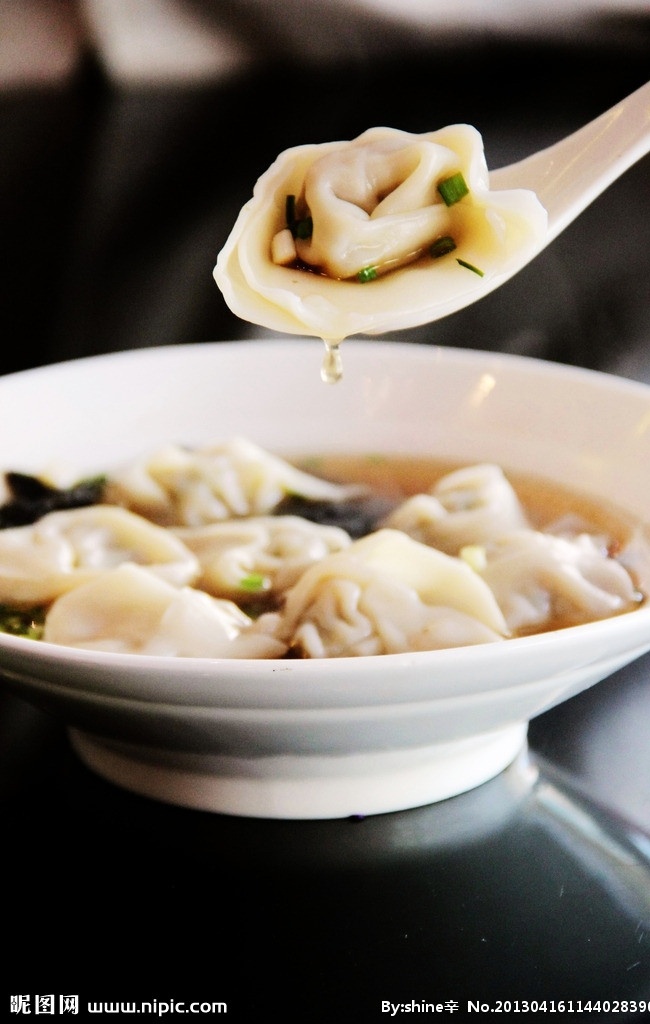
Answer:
[(374, 201)]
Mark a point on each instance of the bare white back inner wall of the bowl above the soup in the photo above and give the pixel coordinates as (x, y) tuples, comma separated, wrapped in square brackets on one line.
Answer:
[(582, 429)]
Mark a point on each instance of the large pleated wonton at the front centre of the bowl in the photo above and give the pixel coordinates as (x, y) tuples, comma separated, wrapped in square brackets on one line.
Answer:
[(388, 594)]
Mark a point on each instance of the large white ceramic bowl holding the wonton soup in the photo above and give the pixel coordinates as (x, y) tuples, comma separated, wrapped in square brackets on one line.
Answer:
[(345, 737)]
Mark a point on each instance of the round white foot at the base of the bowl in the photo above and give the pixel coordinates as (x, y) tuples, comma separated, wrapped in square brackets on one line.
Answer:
[(305, 787)]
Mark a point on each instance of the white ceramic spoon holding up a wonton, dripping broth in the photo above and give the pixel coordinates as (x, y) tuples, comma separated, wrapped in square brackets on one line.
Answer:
[(567, 178)]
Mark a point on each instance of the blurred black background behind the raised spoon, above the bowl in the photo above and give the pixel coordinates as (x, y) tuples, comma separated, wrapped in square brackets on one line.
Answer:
[(115, 201)]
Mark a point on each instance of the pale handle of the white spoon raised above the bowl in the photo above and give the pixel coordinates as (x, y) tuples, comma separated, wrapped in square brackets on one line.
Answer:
[(571, 175)]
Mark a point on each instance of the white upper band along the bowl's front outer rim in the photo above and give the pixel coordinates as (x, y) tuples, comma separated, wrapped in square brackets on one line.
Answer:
[(374, 679)]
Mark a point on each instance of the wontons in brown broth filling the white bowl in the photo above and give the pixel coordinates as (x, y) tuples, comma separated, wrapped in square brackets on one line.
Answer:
[(230, 551)]
